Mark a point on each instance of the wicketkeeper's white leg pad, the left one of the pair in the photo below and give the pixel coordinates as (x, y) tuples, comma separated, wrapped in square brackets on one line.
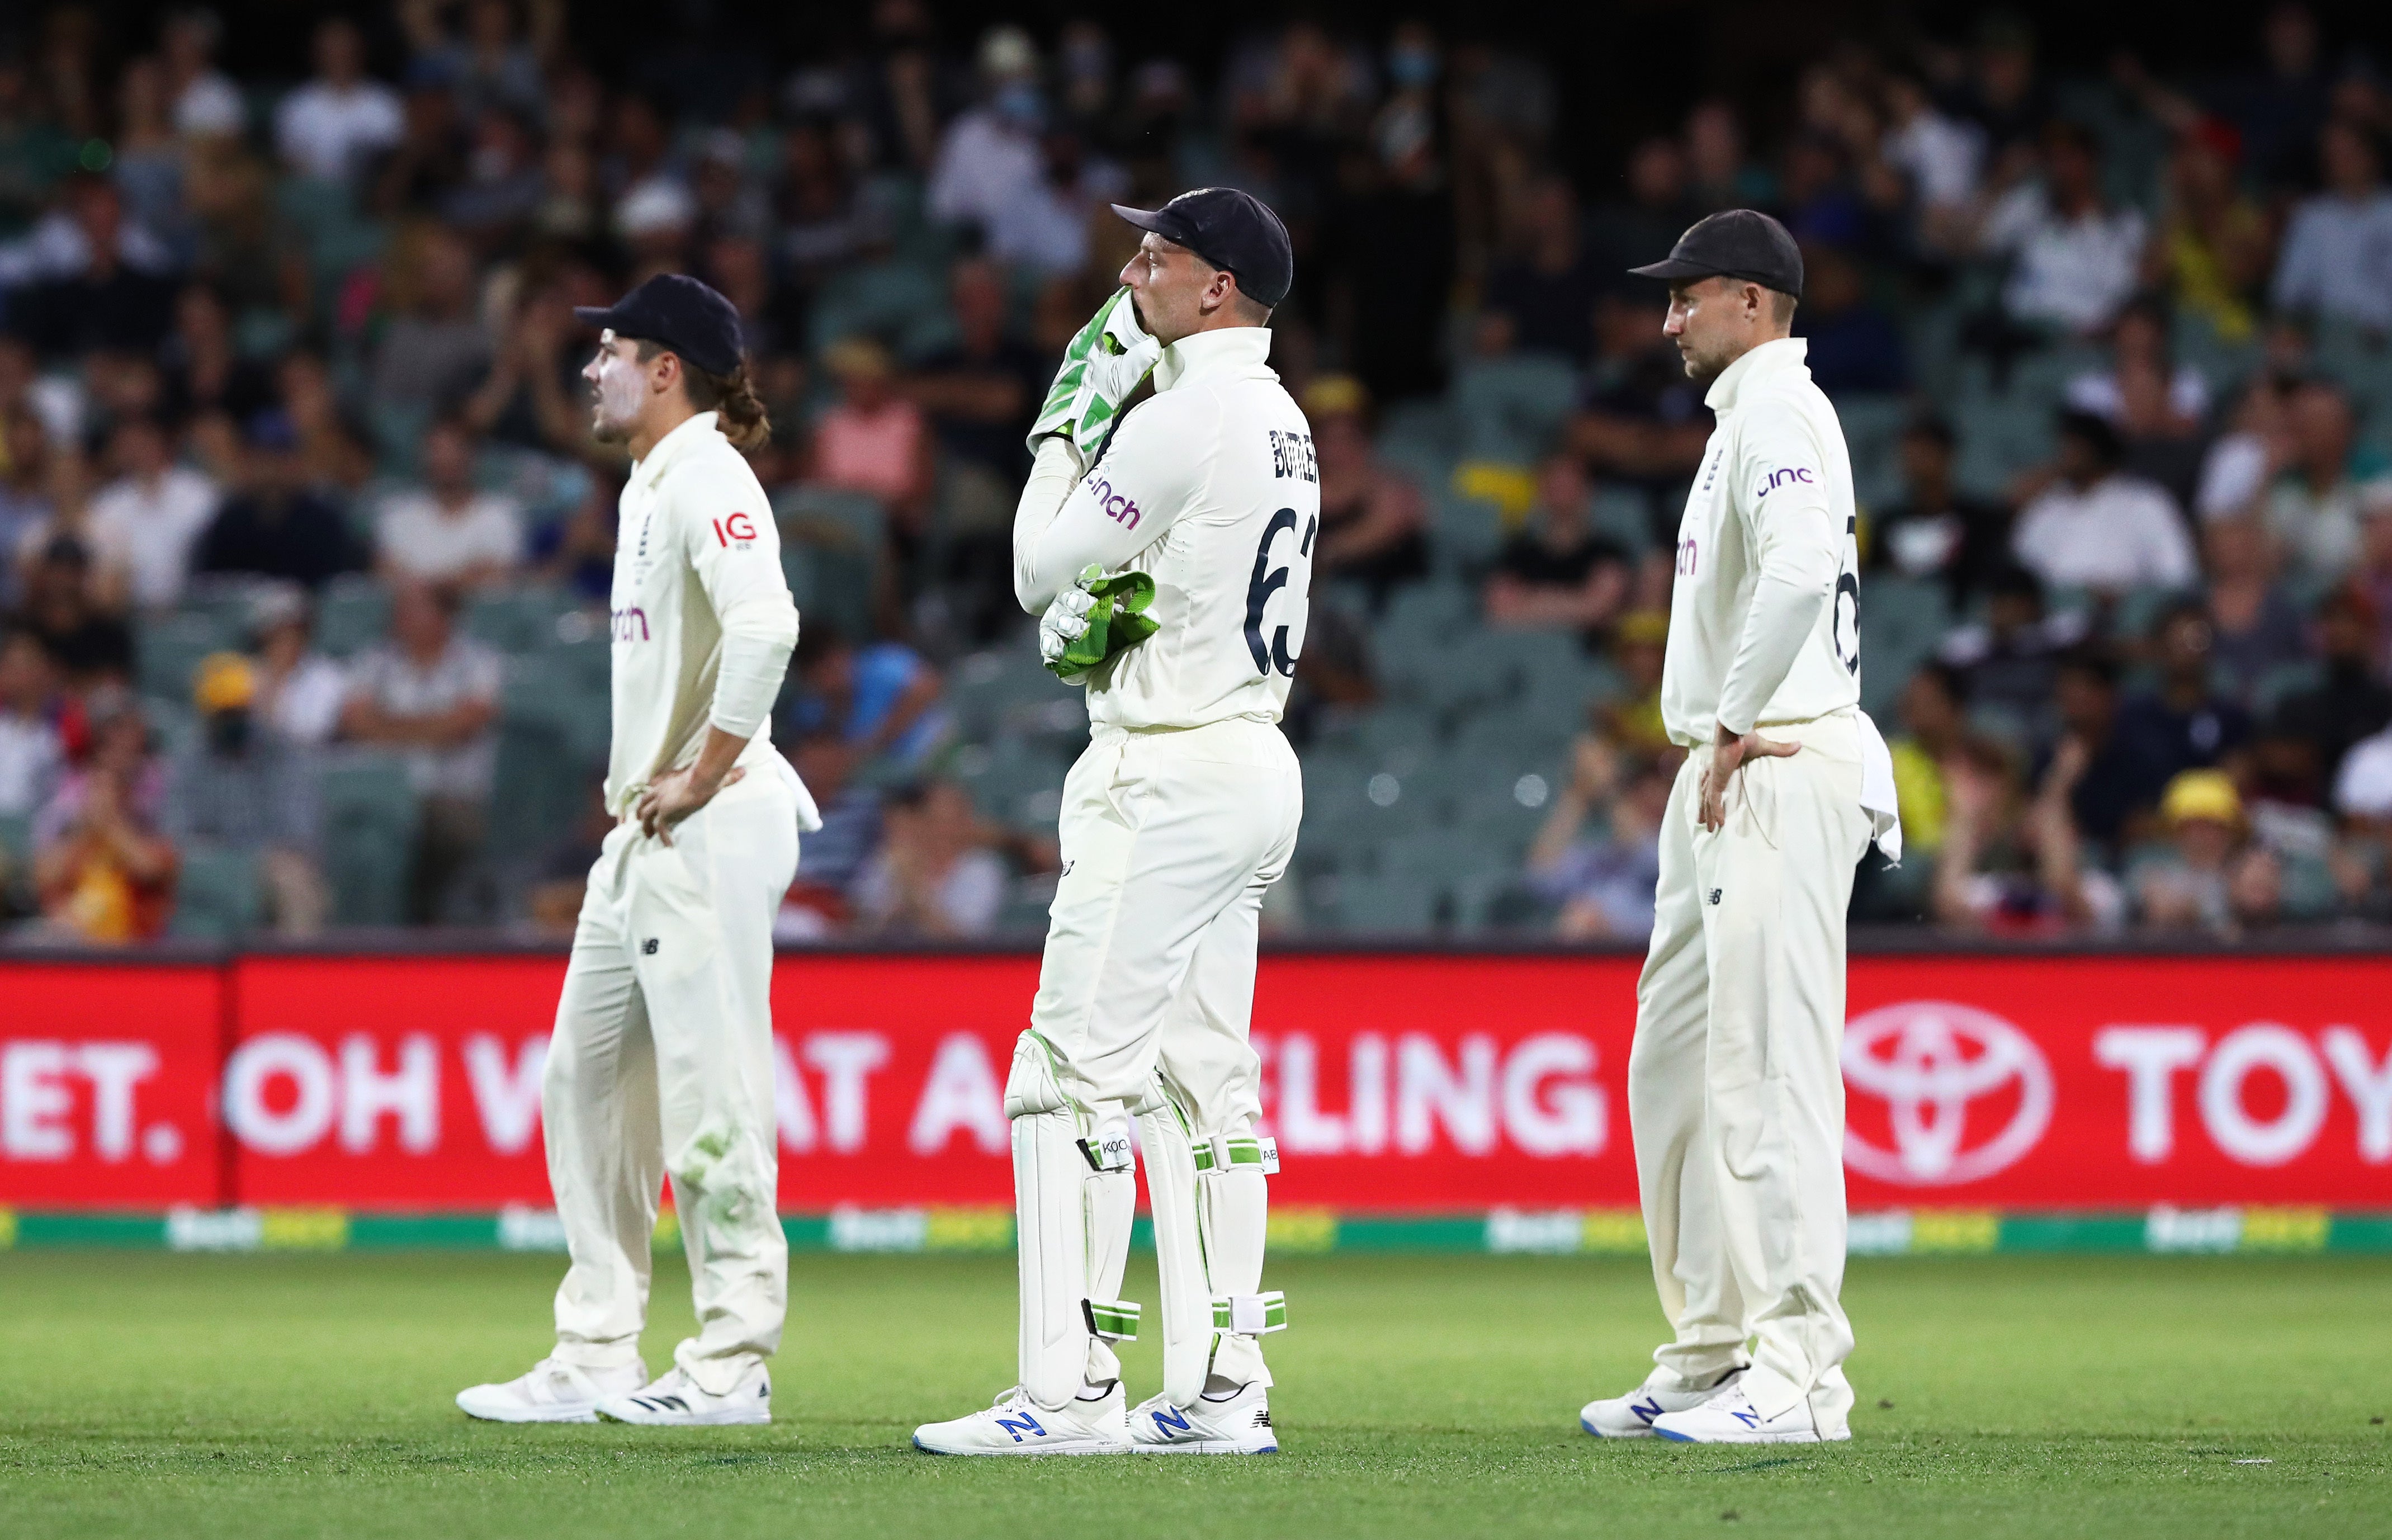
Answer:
[(1051, 1230)]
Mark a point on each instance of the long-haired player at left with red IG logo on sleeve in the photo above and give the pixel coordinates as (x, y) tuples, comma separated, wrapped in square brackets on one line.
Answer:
[(661, 1063)]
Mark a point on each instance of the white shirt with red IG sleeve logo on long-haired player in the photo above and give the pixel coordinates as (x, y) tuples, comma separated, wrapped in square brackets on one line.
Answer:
[(700, 611)]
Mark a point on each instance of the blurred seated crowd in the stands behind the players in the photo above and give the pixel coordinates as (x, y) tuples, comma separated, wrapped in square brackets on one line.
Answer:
[(293, 441)]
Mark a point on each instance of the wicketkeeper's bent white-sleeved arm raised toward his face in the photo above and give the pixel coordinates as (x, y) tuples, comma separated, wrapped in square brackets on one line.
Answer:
[(1154, 470)]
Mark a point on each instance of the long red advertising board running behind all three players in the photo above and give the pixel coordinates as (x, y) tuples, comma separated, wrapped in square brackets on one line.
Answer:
[(1391, 1082)]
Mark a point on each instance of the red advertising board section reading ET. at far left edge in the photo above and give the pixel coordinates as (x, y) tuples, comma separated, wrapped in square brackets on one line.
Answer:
[(109, 1084)]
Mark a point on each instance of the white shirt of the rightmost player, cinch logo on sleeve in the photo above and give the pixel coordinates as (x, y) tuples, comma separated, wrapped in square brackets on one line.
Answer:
[(1766, 609)]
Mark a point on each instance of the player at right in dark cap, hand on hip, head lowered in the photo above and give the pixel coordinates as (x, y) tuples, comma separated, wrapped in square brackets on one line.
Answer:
[(1735, 1087)]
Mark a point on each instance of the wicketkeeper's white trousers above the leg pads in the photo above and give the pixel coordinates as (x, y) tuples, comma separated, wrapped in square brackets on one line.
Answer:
[(1171, 843)]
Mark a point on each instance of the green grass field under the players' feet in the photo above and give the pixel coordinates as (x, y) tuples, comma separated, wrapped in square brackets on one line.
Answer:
[(310, 1395)]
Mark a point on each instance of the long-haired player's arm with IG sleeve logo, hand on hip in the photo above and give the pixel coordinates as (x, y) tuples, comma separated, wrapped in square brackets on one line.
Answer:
[(736, 554)]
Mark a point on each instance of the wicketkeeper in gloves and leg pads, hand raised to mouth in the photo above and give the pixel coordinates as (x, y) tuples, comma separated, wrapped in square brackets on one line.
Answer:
[(1176, 821)]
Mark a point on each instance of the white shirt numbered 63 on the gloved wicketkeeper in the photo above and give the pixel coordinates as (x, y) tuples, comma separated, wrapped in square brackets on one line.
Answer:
[(1209, 487)]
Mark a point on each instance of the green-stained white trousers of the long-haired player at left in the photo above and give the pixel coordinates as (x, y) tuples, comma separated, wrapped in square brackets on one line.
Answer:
[(664, 1065)]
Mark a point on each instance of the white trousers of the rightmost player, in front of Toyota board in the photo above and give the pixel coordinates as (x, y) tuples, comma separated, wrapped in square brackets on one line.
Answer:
[(1735, 1087)]
